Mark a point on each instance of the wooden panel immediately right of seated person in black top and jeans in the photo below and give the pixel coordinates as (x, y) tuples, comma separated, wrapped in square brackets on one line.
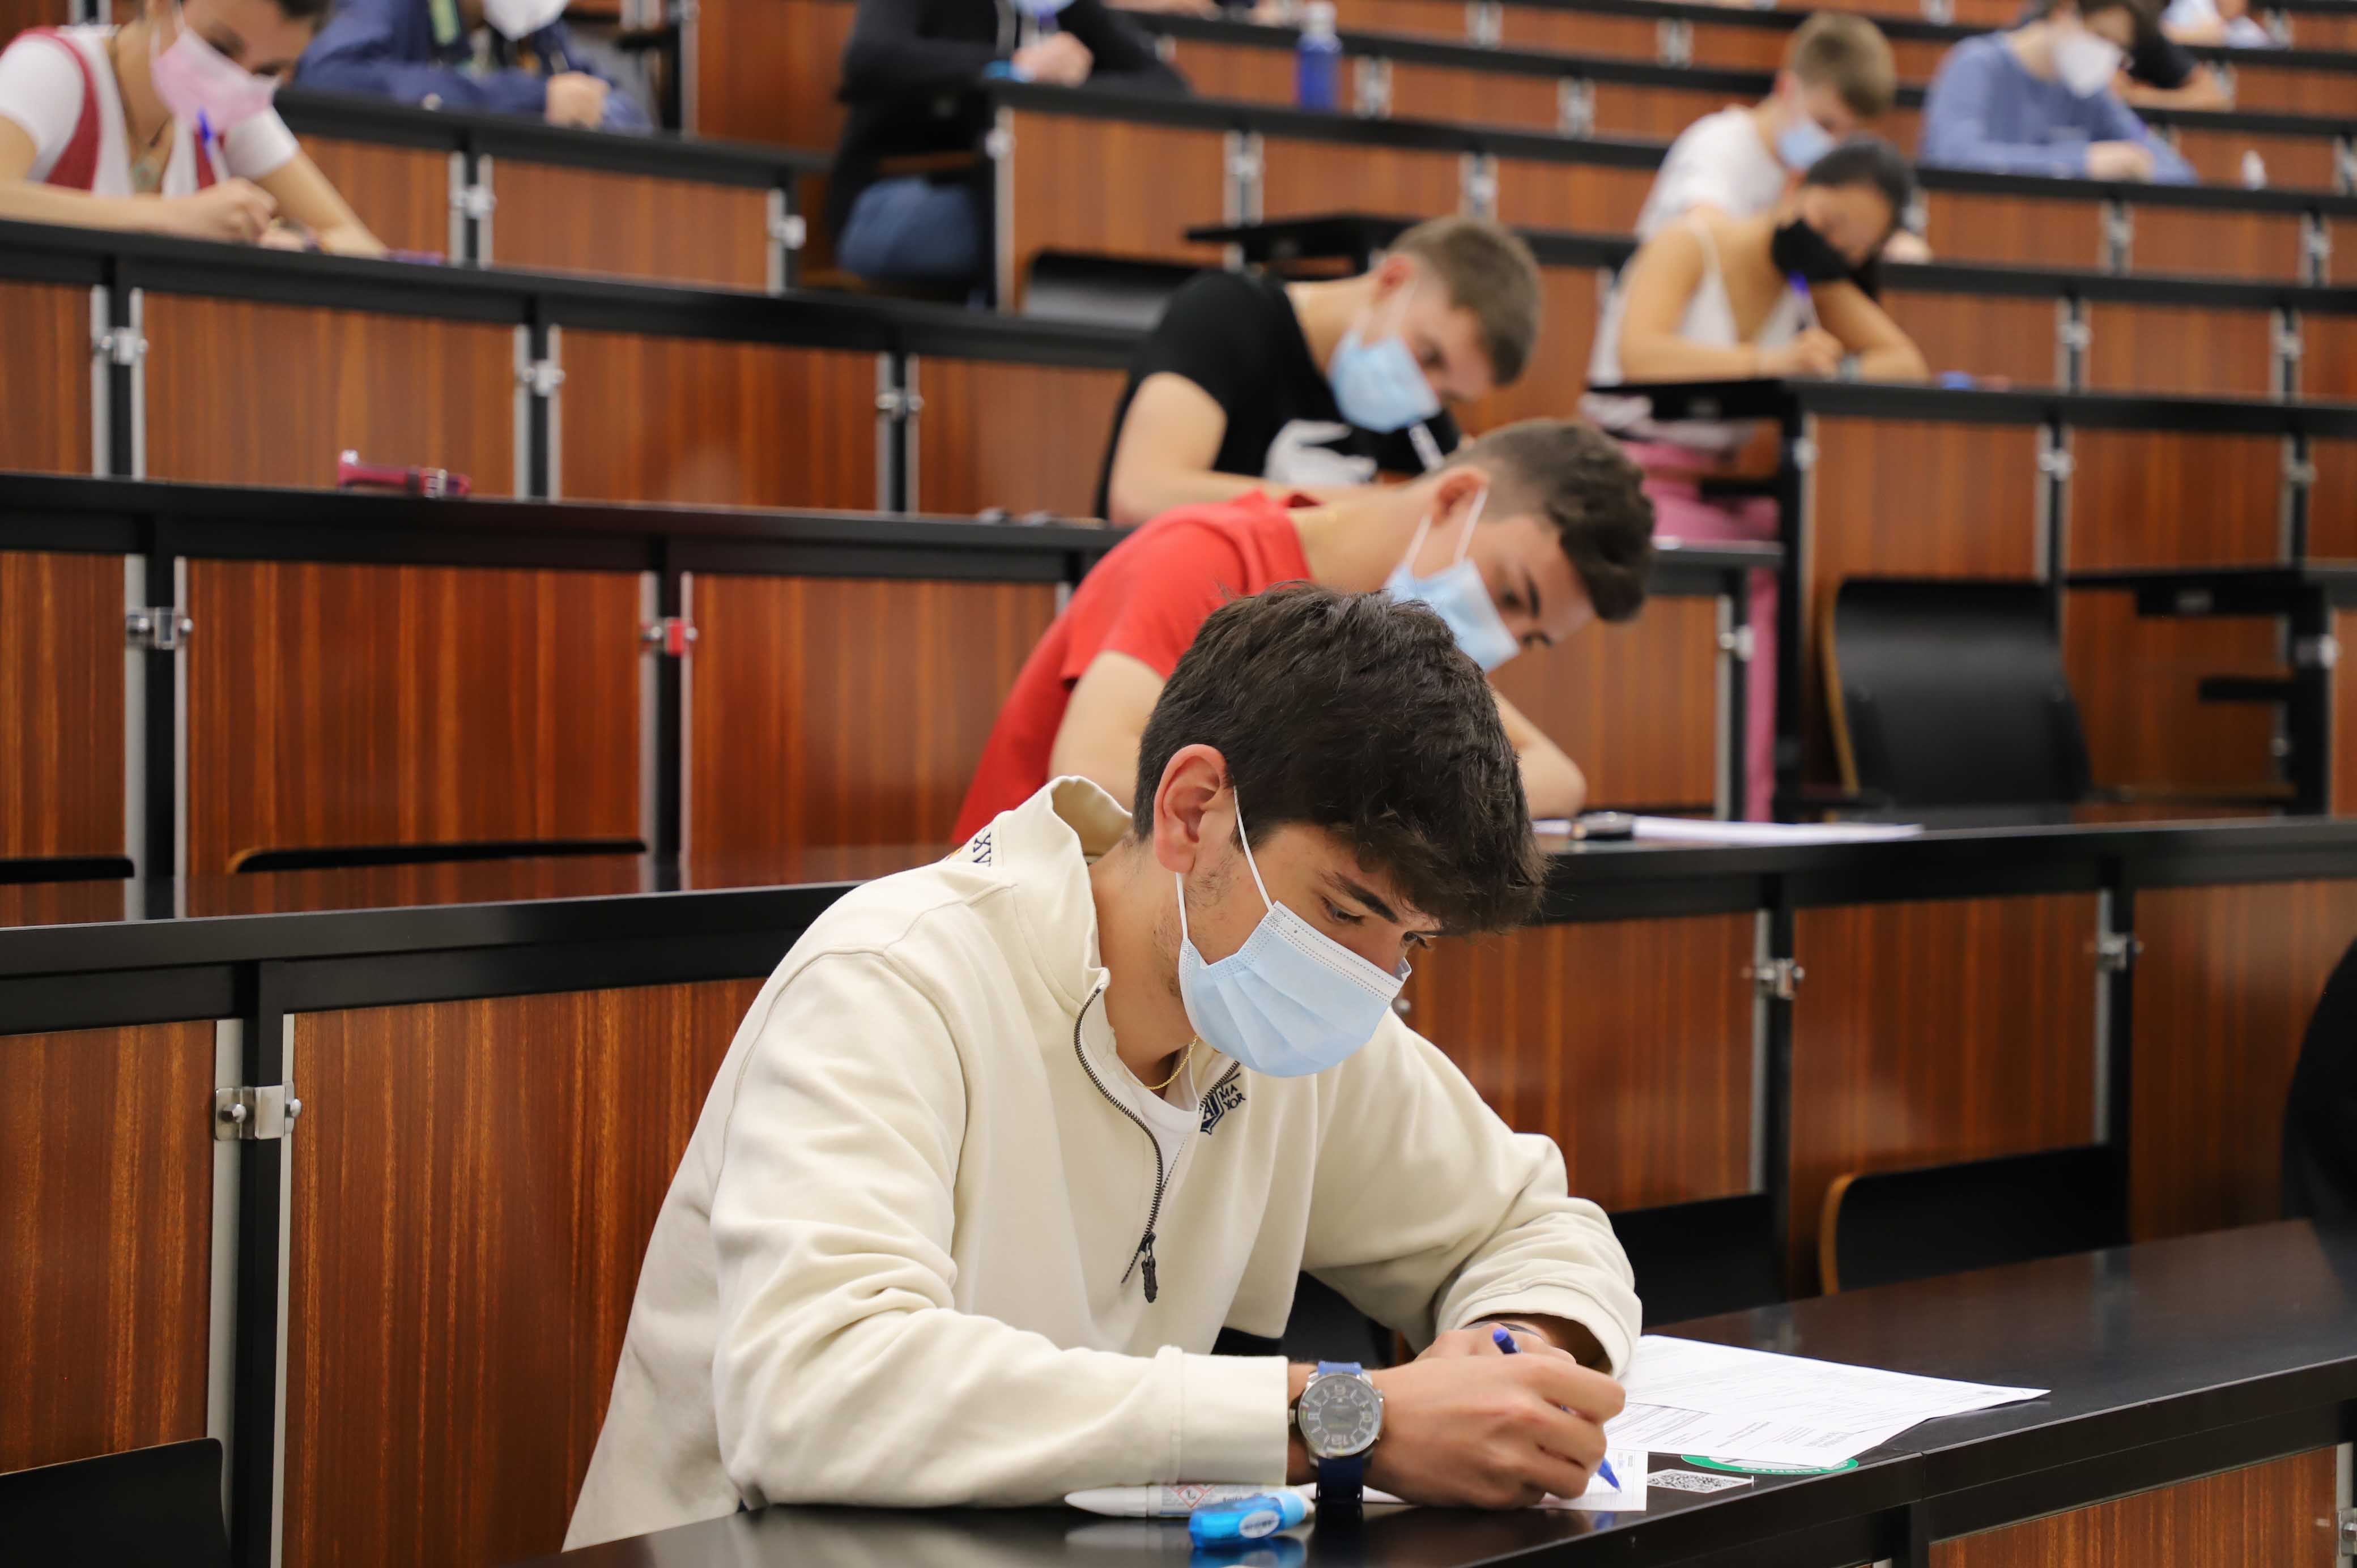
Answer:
[(1076, 187)]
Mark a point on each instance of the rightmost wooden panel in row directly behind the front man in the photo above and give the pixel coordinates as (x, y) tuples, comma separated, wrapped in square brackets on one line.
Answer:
[(2224, 994)]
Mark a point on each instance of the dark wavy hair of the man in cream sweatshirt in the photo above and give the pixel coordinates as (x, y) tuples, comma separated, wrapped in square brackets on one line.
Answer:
[(1364, 718)]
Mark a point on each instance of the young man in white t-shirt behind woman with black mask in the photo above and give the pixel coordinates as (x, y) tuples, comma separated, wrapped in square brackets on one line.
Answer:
[(1837, 81)]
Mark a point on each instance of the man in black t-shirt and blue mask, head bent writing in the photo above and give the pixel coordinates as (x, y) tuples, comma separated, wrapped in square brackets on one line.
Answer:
[(1253, 383)]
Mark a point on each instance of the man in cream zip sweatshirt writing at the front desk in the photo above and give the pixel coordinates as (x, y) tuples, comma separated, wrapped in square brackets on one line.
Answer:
[(1010, 1140)]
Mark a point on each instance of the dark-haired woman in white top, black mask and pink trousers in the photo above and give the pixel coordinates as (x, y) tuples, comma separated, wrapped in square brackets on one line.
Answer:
[(1729, 298)]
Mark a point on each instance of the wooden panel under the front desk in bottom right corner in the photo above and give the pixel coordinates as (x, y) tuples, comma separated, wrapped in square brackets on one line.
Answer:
[(2271, 1515)]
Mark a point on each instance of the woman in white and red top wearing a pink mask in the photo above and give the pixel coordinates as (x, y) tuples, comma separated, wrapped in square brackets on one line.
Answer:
[(166, 126)]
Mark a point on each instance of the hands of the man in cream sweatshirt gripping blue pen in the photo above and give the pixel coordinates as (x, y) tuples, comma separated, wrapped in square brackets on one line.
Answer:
[(1491, 1432)]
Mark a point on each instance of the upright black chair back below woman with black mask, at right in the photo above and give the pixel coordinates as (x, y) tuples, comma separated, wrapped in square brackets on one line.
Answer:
[(1953, 694)]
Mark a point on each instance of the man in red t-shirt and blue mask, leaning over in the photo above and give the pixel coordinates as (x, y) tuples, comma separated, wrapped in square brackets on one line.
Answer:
[(1524, 539)]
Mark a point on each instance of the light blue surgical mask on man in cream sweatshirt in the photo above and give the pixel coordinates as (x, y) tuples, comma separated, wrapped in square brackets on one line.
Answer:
[(1290, 1001)]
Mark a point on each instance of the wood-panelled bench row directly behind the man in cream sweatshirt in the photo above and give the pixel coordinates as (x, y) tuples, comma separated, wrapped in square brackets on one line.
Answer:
[(496, 1100)]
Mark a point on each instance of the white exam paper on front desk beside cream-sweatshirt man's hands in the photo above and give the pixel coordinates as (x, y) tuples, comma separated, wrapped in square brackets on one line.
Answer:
[(1736, 1404)]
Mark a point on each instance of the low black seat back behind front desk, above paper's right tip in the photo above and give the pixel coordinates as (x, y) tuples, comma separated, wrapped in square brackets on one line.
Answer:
[(1913, 1225)]
